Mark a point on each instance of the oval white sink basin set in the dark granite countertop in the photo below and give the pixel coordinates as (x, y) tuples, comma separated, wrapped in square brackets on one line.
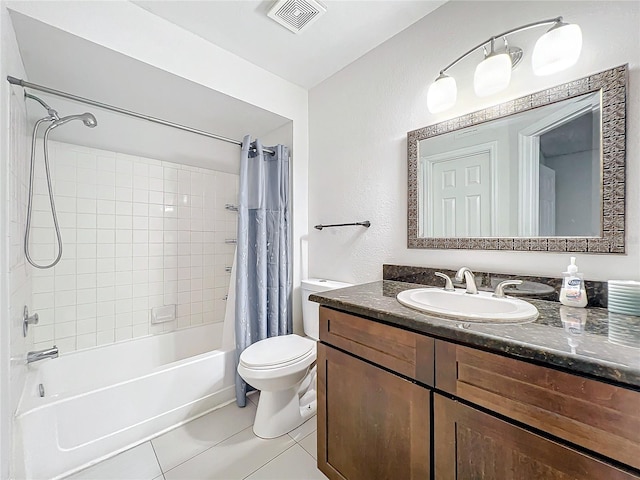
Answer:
[(483, 307)]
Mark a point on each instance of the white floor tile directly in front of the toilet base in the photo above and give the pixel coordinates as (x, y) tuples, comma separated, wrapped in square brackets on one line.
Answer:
[(235, 458)]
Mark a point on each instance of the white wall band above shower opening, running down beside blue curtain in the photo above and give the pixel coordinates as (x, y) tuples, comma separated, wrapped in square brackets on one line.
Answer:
[(130, 30)]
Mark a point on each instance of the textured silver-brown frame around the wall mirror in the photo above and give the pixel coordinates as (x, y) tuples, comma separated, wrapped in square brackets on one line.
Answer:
[(612, 86)]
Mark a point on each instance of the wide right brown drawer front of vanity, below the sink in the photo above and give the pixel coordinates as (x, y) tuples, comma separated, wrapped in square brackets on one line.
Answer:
[(601, 417)]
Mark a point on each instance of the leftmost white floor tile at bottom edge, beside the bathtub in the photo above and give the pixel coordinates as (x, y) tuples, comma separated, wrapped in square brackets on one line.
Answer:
[(139, 463)]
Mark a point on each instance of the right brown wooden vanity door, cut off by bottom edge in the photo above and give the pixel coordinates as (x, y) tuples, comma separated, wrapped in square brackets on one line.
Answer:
[(470, 444)]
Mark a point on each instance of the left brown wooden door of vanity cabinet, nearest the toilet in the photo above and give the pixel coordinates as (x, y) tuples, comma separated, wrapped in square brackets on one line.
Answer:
[(372, 424)]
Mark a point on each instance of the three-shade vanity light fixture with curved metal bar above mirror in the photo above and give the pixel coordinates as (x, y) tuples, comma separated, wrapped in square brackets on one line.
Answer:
[(556, 50)]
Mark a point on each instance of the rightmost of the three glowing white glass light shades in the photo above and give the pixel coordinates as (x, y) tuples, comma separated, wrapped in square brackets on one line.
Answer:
[(557, 49)]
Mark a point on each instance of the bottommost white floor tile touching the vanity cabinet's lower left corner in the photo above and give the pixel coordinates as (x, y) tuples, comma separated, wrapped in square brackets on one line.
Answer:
[(294, 464)]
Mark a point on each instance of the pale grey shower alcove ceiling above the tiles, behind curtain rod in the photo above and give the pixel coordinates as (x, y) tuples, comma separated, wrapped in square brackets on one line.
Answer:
[(62, 61)]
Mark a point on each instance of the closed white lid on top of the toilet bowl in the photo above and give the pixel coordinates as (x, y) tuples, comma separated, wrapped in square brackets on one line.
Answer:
[(276, 351)]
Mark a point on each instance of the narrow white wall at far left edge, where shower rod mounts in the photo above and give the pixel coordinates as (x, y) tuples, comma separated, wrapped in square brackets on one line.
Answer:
[(15, 279)]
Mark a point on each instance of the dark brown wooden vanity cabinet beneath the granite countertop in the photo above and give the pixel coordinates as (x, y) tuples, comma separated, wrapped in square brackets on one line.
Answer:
[(399, 404)]
